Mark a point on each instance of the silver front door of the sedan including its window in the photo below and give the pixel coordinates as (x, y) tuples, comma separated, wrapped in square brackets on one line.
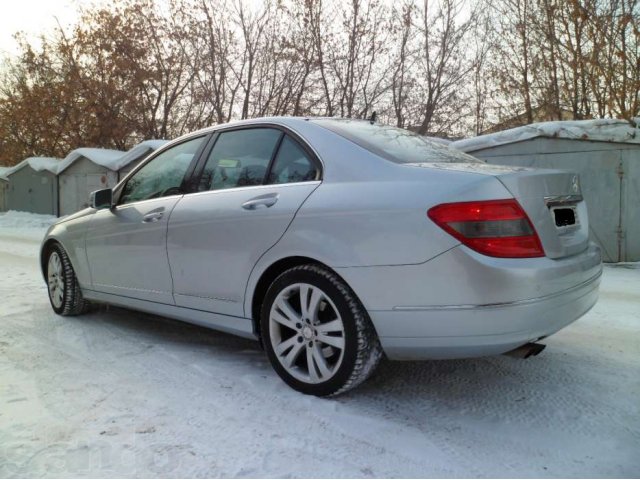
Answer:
[(126, 245)]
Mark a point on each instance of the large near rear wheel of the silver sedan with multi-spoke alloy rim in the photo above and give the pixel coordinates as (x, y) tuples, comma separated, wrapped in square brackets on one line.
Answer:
[(318, 336)]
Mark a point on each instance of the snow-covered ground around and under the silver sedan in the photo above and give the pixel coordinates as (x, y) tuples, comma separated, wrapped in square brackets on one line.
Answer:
[(119, 393)]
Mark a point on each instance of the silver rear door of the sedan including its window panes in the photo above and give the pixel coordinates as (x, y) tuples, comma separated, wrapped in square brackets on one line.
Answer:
[(251, 186)]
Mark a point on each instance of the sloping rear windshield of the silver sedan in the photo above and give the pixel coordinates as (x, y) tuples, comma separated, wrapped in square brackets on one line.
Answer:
[(394, 144)]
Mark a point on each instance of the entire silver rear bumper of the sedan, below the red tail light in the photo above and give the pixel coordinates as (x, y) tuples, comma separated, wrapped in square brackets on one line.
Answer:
[(462, 304)]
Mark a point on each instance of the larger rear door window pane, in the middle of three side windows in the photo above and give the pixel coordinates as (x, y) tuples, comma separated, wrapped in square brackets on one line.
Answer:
[(239, 158)]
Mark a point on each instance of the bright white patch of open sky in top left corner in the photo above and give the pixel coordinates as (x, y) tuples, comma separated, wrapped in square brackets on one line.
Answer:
[(35, 17)]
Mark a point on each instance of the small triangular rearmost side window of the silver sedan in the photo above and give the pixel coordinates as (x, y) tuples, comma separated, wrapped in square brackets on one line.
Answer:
[(292, 164)]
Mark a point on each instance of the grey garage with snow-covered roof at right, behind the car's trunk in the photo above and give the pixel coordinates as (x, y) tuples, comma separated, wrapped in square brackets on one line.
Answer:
[(606, 154)]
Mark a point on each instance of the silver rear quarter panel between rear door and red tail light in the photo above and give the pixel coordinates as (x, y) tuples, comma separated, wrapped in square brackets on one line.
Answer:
[(376, 223)]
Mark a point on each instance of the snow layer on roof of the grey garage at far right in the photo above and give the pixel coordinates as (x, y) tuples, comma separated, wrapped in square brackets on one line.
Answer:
[(602, 130)]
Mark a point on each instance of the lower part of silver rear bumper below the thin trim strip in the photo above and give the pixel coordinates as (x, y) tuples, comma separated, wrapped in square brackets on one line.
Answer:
[(459, 332)]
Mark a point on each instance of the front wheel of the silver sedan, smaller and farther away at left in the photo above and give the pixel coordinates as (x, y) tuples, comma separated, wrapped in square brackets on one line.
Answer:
[(65, 294)]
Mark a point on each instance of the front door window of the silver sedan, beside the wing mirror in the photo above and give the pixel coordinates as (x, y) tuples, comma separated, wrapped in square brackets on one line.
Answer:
[(163, 175)]
